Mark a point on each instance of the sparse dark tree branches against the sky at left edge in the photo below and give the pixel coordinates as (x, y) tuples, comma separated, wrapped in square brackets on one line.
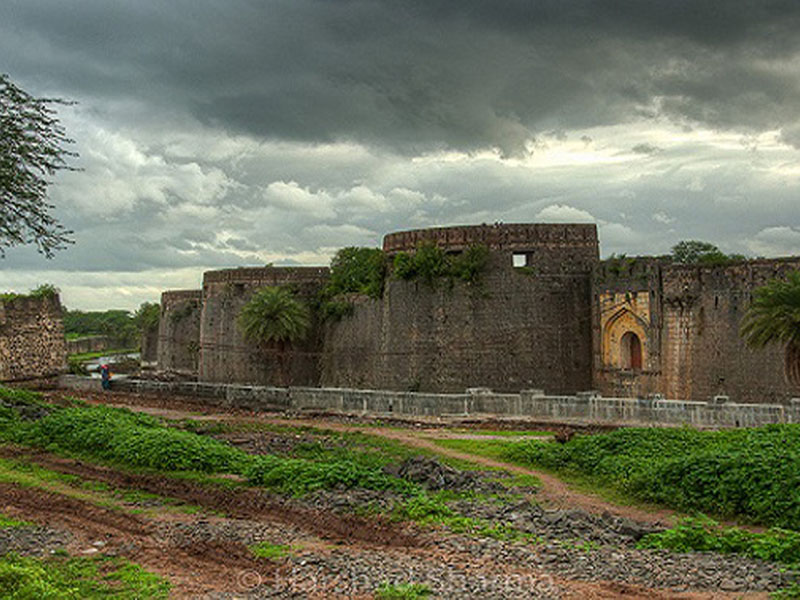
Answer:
[(31, 150)]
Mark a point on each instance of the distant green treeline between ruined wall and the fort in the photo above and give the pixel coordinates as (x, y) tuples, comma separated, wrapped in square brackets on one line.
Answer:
[(122, 326)]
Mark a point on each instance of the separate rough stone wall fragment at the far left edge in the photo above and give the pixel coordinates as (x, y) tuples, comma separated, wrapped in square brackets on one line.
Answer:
[(32, 344)]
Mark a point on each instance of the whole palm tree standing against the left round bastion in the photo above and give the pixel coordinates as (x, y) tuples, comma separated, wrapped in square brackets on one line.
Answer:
[(273, 316)]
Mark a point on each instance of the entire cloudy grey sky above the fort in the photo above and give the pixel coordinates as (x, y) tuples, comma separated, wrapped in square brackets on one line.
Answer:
[(215, 134)]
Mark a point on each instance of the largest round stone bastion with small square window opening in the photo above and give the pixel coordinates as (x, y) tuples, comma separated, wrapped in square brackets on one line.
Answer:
[(525, 324)]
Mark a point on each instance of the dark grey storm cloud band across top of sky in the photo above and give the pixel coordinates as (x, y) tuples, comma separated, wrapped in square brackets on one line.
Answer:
[(417, 75)]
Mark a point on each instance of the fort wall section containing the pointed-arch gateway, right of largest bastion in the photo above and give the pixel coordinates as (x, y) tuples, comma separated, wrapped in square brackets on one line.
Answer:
[(687, 318)]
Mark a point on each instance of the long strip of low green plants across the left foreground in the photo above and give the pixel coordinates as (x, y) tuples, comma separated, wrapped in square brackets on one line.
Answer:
[(121, 437)]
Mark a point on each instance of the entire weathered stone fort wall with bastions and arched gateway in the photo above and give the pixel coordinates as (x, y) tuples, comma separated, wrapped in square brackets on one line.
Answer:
[(547, 314)]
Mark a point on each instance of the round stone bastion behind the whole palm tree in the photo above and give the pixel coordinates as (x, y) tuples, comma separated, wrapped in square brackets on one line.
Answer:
[(226, 357)]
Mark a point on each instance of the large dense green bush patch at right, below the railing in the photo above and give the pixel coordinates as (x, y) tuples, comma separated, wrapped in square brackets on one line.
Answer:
[(752, 472)]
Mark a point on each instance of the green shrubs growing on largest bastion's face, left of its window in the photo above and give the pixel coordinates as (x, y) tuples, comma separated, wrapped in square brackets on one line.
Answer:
[(430, 263)]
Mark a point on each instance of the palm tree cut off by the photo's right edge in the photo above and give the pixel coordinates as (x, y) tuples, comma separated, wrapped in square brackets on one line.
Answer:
[(774, 317)]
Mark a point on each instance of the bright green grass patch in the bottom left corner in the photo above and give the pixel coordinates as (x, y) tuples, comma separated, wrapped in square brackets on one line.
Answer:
[(60, 578)]
